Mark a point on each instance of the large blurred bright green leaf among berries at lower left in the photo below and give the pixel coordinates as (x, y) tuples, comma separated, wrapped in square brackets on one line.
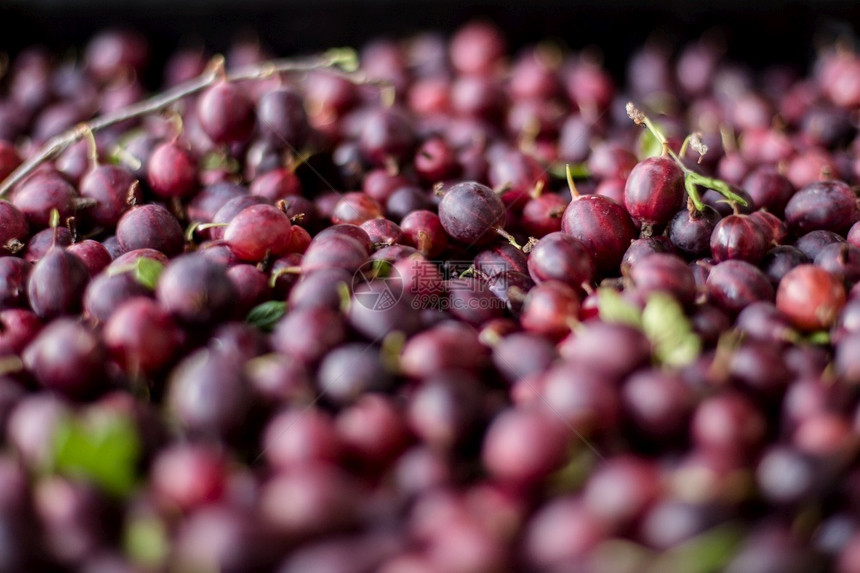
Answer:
[(103, 449)]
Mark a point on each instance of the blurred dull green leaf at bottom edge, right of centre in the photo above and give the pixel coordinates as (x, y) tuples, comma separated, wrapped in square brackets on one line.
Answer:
[(708, 552)]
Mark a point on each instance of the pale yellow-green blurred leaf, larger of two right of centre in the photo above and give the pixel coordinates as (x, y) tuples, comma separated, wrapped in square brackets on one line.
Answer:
[(670, 333)]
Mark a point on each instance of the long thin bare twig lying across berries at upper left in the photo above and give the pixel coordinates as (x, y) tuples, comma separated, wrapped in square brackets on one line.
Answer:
[(342, 57)]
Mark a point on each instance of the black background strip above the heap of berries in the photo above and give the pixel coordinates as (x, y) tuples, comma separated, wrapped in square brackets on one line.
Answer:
[(757, 33)]
